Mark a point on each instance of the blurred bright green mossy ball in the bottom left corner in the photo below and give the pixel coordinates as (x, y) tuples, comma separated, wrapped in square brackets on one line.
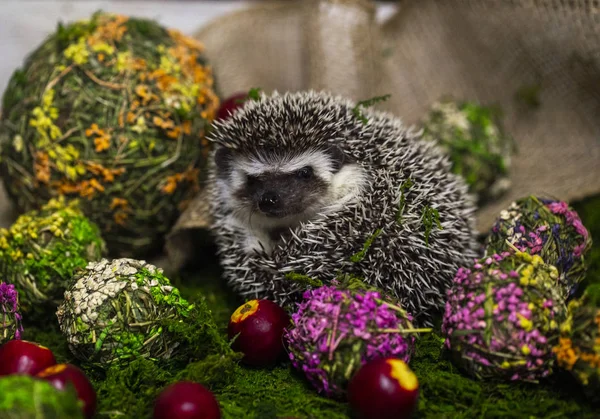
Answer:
[(25, 397)]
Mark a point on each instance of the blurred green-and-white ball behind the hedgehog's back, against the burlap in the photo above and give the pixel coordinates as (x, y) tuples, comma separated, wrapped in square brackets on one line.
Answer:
[(476, 144)]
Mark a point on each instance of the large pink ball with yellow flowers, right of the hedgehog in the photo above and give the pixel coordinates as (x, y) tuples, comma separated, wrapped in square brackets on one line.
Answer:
[(502, 317)]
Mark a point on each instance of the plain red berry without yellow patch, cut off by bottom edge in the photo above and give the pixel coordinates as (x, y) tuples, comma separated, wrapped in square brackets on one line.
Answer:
[(186, 400)]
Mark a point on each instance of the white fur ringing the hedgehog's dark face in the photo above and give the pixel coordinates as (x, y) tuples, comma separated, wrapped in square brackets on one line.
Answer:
[(343, 187)]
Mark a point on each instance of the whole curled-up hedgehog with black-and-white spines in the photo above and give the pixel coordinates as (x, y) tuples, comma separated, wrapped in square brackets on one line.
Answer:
[(306, 188)]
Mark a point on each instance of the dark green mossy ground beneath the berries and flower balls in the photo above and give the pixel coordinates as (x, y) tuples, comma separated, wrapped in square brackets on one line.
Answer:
[(280, 392)]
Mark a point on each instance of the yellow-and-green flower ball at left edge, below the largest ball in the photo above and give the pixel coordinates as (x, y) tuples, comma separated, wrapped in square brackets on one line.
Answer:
[(42, 250)]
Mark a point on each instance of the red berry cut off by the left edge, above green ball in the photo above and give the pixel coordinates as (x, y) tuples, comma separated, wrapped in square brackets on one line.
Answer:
[(24, 357)]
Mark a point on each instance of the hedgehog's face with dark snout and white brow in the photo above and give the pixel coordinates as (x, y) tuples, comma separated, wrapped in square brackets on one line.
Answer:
[(278, 188)]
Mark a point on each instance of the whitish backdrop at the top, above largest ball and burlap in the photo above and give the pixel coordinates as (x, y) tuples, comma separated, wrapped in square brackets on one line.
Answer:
[(25, 23)]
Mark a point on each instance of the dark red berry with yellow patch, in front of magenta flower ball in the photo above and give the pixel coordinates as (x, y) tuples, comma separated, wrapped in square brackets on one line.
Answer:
[(384, 388)]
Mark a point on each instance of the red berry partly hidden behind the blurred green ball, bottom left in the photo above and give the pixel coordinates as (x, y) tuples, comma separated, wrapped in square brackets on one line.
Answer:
[(61, 375)]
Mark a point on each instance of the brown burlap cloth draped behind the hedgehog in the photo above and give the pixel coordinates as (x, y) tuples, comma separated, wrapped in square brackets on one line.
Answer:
[(491, 51)]
